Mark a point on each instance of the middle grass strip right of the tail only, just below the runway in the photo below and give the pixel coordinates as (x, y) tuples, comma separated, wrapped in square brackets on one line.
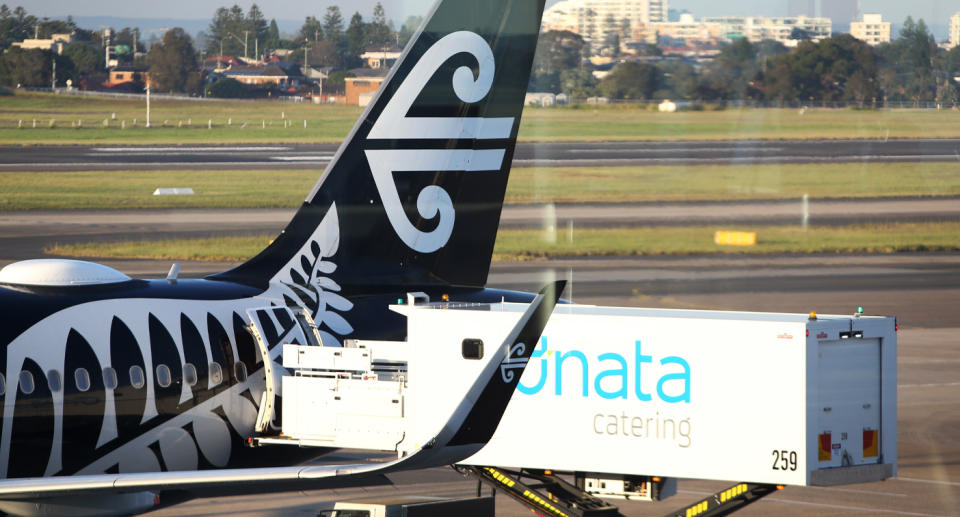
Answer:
[(731, 182)]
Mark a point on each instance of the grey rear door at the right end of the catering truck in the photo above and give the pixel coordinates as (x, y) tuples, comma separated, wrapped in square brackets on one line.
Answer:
[(849, 408)]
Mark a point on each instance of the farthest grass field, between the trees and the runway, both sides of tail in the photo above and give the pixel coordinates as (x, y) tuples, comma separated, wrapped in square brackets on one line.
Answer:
[(29, 118)]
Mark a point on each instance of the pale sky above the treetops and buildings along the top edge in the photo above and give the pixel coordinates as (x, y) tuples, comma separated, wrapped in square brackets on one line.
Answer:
[(935, 12)]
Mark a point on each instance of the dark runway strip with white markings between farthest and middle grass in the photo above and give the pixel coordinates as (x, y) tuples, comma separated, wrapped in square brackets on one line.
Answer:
[(45, 158)]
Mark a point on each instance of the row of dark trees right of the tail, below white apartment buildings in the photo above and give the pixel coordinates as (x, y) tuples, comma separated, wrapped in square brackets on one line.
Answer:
[(838, 69)]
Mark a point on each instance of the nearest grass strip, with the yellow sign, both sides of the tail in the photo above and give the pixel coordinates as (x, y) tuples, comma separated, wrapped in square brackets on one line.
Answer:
[(531, 244)]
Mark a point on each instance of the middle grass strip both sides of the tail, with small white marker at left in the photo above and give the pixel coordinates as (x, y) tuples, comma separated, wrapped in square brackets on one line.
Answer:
[(103, 190)]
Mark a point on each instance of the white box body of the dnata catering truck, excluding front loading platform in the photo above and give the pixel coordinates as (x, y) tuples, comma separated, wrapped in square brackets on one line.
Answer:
[(690, 394)]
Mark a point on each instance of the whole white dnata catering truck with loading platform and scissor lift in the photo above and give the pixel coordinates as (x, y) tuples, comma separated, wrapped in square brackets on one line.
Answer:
[(624, 400)]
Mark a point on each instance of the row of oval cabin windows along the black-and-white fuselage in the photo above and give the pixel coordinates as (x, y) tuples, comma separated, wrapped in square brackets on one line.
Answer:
[(83, 381)]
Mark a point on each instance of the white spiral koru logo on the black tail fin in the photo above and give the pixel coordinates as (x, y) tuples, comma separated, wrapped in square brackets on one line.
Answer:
[(433, 202)]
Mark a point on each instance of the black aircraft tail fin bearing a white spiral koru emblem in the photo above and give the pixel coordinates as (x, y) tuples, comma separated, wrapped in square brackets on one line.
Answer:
[(414, 194)]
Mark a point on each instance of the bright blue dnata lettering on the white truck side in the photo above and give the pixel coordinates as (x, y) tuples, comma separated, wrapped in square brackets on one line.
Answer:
[(609, 375)]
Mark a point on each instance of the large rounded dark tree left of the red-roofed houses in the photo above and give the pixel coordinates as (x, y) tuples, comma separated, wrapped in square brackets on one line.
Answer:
[(173, 64)]
